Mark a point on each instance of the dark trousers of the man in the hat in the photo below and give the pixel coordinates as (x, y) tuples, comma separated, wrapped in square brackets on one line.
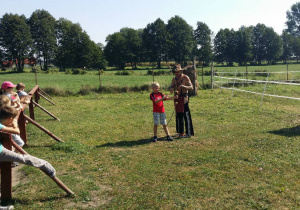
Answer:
[(184, 118)]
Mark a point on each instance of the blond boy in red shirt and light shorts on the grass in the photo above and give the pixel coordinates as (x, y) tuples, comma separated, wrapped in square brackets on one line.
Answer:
[(159, 110)]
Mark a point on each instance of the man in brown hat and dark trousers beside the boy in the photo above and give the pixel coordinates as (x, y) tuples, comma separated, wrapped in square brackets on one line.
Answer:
[(181, 84)]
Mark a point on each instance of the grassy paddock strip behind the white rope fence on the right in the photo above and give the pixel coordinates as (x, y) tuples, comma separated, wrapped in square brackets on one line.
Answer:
[(273, 84)]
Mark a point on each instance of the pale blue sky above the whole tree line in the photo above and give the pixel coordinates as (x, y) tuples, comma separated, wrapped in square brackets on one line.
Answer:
[(100, 18)]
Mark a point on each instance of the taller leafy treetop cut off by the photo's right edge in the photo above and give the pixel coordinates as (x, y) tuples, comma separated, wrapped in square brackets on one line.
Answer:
[(293, 20)]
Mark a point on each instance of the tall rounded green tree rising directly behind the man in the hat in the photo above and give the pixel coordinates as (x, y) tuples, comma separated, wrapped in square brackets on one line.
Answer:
[(181, 41)]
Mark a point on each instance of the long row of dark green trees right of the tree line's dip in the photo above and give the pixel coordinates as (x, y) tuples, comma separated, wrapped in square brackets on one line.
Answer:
[(176, 40)]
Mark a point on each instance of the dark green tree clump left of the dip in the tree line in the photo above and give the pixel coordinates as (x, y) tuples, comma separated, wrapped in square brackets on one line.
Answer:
[(59, 42)]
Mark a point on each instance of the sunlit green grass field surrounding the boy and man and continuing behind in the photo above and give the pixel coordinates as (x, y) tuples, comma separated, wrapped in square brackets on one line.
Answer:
[(243, 156)]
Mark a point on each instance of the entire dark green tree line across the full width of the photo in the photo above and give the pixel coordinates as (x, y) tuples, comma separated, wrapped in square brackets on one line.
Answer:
[(66, 45)]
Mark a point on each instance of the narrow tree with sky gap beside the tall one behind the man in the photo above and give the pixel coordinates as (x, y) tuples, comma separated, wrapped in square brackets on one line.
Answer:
[(202, 36)]
